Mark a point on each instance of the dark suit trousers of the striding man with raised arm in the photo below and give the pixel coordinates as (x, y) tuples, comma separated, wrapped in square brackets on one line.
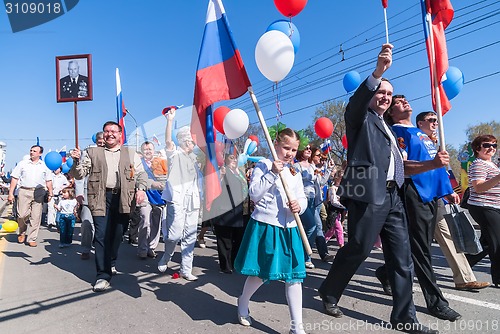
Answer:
[(365, 222)]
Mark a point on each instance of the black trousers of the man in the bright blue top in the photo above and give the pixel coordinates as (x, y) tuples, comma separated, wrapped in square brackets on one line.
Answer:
[(421, 225)]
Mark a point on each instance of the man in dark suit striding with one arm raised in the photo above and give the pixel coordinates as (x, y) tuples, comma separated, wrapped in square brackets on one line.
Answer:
[(370, 191)]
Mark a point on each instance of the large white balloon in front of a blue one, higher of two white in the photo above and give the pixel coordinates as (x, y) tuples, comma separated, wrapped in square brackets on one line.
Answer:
[(274, 55)]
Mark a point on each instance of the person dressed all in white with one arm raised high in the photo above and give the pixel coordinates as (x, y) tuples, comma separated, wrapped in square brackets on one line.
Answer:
[(182, 195)]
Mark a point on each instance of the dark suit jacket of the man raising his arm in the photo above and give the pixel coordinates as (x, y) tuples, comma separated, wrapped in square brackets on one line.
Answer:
[(368, 153)]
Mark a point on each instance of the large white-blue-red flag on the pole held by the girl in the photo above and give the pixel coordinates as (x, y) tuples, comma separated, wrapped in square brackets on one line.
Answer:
[(220, 75)]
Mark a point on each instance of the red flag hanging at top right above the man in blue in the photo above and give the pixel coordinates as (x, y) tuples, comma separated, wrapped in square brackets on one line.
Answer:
[(441, 13)]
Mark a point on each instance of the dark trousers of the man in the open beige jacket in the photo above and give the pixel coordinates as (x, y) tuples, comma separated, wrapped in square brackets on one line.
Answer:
[(108, 236)]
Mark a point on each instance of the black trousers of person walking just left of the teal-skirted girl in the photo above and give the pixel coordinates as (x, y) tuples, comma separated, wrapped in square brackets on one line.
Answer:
[(228, 243)]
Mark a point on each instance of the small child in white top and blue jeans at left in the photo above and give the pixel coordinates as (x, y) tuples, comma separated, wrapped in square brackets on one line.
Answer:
[(67, 208)]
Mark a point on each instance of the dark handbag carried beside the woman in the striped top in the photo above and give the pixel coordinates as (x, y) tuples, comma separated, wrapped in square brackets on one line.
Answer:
[(462, 230)]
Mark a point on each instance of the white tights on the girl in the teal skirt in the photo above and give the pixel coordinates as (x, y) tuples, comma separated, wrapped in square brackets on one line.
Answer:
[(293, 292)]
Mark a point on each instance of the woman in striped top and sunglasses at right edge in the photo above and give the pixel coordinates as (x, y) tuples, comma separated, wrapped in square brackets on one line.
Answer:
[(484, 200)]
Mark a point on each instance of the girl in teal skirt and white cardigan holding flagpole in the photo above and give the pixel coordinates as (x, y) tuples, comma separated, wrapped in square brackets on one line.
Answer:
[(272, 247)]
